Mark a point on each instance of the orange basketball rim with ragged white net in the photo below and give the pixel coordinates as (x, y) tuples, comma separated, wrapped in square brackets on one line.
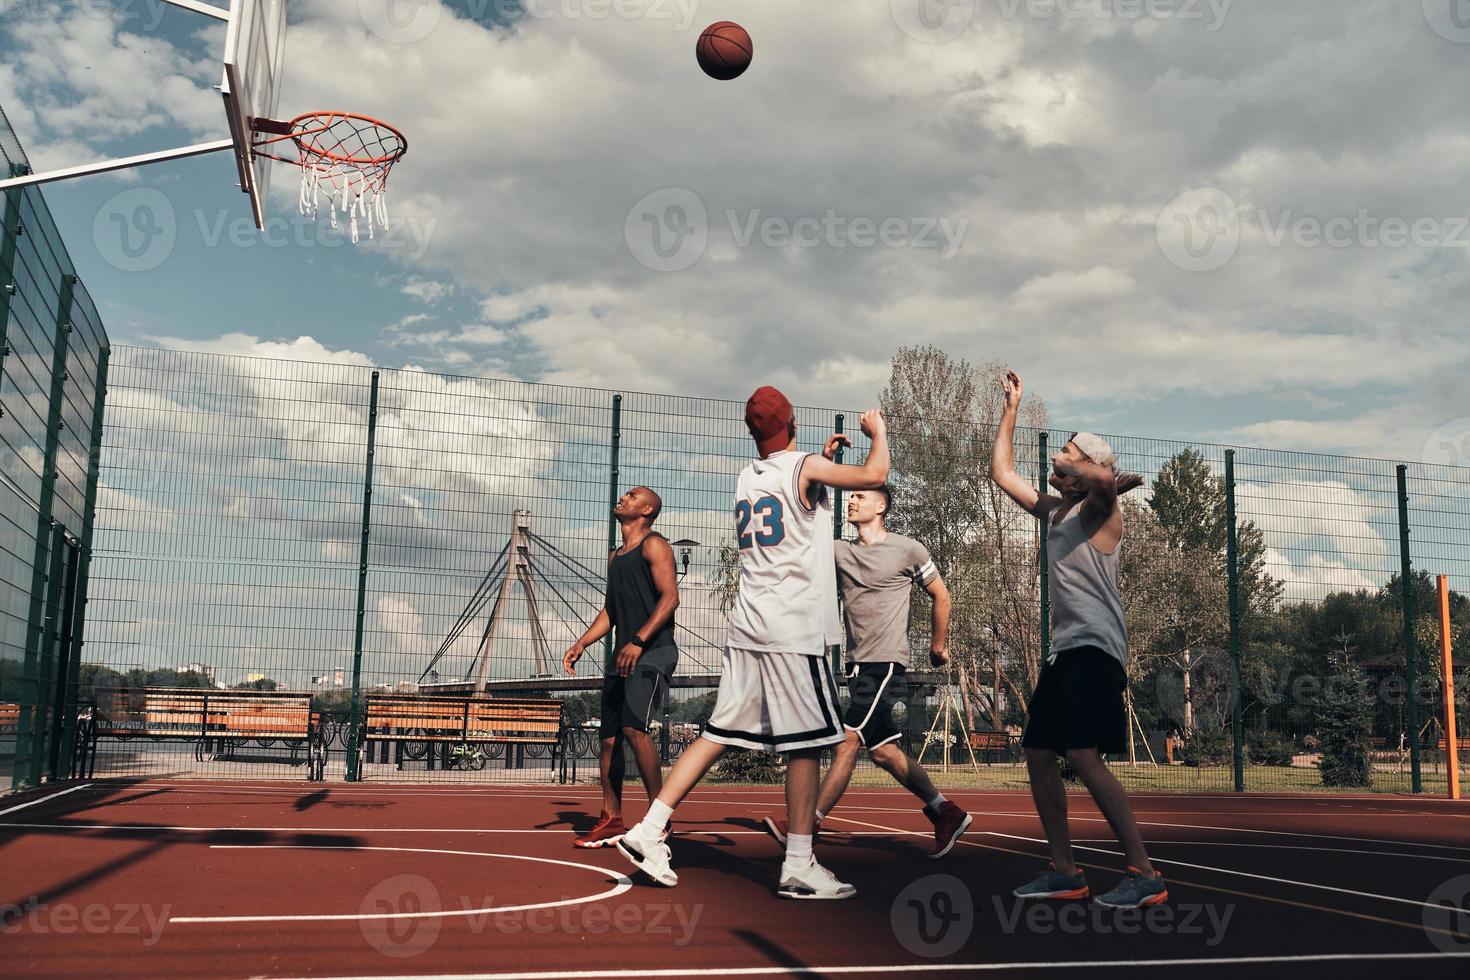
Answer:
[(342, 155)]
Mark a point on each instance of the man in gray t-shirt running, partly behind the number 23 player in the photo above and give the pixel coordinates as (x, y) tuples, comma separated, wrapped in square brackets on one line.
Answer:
[(877, 575)]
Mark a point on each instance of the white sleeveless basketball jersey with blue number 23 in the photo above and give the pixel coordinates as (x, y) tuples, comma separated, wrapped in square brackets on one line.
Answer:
[(787, 597)]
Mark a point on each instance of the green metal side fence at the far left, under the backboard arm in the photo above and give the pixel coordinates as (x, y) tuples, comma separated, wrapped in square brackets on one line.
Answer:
[(54, 365)]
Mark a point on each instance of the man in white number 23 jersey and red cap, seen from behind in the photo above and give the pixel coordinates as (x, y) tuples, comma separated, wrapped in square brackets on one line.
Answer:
[(777, 690)]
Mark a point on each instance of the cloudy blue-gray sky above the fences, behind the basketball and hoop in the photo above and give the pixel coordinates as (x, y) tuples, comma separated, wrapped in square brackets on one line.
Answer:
[(1209, 220)]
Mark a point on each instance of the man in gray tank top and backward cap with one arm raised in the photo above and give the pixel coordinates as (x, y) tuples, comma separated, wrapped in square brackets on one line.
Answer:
[(1077, 709)]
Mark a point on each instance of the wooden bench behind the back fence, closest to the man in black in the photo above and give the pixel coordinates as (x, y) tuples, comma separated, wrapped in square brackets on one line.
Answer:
[(434, 727)]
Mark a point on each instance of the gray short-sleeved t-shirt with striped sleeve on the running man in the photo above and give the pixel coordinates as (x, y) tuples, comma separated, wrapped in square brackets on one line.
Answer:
[(877, 584)]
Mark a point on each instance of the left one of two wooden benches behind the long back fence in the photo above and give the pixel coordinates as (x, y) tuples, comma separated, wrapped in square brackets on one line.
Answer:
[(217, 722)]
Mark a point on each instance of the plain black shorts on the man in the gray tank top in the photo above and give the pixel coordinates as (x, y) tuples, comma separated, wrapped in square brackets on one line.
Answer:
[(1080, 705)]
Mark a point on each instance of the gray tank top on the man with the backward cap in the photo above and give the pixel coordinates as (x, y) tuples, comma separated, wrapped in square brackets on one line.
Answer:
[(1086, 605)]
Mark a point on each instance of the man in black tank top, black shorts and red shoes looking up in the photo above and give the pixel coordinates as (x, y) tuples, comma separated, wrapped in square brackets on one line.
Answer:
[(643, 593)]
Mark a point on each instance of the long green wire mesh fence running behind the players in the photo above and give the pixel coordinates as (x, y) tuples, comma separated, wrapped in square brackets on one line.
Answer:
[(245, 543)]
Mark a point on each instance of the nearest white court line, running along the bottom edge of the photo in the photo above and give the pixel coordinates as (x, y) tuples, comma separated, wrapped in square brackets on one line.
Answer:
[(919, 968)]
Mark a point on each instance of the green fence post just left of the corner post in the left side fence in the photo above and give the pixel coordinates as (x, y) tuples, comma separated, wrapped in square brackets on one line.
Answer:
[(30, 729)]
